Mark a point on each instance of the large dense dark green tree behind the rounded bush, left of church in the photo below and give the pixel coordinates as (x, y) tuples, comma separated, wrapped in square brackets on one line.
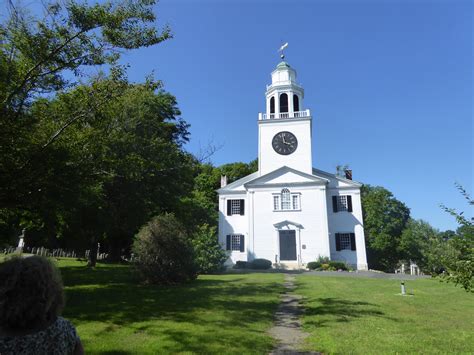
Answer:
[(129, 156)]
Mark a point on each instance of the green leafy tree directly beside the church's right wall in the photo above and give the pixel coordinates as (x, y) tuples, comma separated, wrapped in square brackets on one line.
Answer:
[(385, 218)]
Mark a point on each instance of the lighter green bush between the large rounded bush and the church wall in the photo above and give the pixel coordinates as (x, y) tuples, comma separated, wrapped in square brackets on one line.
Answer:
[(209, 255)]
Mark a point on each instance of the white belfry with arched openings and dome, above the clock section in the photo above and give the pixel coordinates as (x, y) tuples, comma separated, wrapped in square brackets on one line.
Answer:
[(284, 96)]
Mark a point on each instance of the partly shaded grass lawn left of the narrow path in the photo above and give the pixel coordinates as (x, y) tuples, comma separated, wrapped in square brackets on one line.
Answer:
[(215, 314)]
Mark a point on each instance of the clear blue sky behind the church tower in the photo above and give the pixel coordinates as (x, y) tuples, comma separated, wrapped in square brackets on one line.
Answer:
[(389, 84)]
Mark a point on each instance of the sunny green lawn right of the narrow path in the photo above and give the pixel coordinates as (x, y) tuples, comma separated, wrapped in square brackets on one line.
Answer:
[(360, 315)]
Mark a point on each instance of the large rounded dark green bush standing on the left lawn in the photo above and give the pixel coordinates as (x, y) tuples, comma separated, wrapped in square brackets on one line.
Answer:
[(164, 253)]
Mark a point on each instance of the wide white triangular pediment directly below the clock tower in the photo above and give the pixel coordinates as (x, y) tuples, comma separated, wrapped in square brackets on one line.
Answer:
[(286, 176)]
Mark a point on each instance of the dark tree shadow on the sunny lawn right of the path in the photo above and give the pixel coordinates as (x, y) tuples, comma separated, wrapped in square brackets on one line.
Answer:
[(329, 310)]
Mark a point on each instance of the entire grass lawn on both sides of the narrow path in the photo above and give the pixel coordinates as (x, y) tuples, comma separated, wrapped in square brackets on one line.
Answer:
[(232, 313)]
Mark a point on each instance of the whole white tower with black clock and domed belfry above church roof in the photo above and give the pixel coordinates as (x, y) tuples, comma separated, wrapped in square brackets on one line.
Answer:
[(284, 131)]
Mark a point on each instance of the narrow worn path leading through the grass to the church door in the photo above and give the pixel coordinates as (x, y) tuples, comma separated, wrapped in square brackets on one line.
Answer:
[(287, 327)]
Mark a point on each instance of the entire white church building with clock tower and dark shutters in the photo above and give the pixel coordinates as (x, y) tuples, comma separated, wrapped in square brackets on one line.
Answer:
[(289, 212)]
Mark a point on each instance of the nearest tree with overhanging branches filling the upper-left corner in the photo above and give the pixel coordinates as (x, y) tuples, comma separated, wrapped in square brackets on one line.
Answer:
[(37, 58)]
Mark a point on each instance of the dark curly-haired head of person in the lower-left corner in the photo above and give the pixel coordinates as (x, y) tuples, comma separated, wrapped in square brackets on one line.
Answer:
[(31, 293)]
